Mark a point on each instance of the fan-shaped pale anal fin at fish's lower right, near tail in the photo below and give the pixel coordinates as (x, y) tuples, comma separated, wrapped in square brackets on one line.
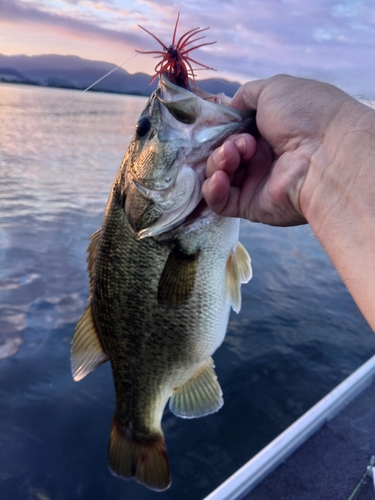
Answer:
[(199, 396)]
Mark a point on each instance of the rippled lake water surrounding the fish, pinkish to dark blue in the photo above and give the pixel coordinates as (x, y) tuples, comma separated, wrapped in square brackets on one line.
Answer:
[(298, 335)]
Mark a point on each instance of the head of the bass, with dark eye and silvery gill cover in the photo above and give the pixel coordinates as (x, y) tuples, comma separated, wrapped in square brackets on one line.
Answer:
[(164, 167)]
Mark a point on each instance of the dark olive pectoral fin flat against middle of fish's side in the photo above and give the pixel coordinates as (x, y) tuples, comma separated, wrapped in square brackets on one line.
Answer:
[(178, 277)]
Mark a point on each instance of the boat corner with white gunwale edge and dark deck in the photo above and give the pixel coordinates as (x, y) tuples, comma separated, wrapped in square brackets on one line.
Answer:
[(324, 455)]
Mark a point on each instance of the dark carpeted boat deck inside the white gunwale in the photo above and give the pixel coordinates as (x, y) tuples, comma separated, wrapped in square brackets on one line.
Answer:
[(330, 464)]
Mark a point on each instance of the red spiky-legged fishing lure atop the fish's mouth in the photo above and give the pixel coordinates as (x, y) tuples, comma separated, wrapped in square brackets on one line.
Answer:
[(176, 61)]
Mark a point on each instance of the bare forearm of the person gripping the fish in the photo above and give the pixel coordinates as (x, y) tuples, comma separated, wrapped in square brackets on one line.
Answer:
[(338, 201)]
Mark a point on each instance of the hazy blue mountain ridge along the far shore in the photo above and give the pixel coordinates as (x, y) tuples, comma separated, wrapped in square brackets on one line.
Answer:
[(74, 72)]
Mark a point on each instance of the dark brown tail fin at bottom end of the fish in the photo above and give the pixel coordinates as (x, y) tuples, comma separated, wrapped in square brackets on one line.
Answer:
[(146, 461)]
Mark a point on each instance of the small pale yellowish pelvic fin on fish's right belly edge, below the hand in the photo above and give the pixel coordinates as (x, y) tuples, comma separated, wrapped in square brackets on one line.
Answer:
[(238, 271)]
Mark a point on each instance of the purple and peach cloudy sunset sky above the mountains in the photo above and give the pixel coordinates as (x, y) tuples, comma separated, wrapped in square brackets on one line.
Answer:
[(330, 40)]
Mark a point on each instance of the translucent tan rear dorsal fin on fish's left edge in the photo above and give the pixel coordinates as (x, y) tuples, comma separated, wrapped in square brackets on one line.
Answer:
[(86, 352)]
